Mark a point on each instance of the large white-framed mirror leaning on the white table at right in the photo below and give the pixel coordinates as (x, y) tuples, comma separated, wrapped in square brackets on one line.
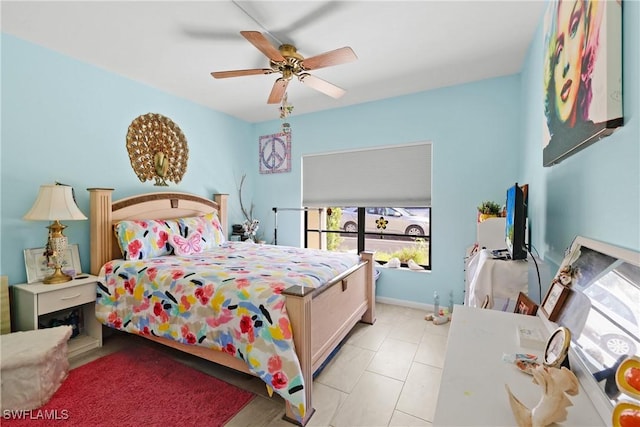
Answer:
[(602, 310)]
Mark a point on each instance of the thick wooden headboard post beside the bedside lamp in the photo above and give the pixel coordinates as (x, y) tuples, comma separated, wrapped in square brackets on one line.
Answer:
[(100, 227)]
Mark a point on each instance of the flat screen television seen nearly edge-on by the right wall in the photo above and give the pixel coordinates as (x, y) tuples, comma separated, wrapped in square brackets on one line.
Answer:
[(516, 223)]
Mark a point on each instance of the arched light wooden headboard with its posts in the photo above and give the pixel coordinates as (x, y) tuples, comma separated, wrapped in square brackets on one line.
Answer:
[(163, 205)]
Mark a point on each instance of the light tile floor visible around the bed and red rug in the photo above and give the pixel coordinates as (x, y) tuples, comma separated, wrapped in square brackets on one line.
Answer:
[(386, 374)]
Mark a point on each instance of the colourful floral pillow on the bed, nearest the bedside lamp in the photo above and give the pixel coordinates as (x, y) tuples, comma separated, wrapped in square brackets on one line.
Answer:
[(142, 239)]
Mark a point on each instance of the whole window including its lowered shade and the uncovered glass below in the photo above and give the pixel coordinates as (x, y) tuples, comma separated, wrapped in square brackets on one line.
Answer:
[(354, 201)]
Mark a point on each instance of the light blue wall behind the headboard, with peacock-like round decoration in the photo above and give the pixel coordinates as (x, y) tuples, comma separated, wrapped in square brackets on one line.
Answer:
[(65, 121)]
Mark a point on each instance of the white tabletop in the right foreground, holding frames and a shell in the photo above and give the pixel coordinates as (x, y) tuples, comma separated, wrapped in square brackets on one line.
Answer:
[(472, 390)]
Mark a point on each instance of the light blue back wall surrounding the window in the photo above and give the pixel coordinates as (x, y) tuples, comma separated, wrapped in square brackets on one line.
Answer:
[(474, 129)]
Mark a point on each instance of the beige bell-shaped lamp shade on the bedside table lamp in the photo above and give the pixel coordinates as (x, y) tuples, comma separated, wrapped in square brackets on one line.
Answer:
[(54, 202)]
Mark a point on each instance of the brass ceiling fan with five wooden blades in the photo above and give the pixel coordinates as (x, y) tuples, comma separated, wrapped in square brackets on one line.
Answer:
[(289, 63)]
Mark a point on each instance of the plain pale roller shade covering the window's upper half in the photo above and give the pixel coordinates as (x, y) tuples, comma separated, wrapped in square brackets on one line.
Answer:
[(398, 175)]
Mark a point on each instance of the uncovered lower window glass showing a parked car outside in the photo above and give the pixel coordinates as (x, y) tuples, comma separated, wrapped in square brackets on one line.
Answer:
[(403, 233)]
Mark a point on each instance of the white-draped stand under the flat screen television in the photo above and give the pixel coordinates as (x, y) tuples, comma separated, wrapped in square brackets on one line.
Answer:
[(500, 278)]
